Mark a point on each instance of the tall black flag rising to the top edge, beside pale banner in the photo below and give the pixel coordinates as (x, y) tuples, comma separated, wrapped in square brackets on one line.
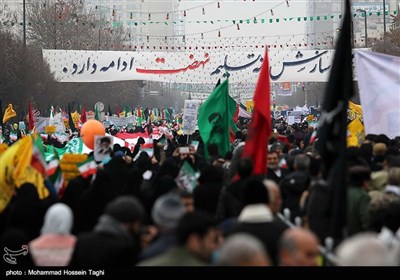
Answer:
[(332, 134)]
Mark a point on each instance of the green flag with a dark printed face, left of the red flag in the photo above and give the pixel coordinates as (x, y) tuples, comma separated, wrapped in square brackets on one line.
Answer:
[(215, 119)]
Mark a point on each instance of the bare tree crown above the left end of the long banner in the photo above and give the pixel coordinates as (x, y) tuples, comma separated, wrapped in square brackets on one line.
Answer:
[(69, 24)]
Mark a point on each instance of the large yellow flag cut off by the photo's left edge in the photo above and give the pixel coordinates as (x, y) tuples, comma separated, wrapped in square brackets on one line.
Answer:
[(14, 161)]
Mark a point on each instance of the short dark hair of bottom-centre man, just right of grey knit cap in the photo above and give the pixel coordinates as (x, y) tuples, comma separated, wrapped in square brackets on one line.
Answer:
[(197, 222)]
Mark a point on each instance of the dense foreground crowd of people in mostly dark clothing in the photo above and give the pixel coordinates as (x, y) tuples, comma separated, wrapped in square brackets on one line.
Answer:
[(132, 212)]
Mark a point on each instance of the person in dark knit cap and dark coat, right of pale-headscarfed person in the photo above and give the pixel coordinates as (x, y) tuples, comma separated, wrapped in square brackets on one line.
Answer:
[(114, 241)]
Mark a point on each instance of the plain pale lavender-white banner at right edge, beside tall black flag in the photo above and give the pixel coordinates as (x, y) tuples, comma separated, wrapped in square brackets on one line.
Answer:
[(379, 84)]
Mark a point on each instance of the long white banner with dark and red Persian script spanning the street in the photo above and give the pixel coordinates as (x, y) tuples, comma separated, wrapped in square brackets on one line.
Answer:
[(199, 66)]
